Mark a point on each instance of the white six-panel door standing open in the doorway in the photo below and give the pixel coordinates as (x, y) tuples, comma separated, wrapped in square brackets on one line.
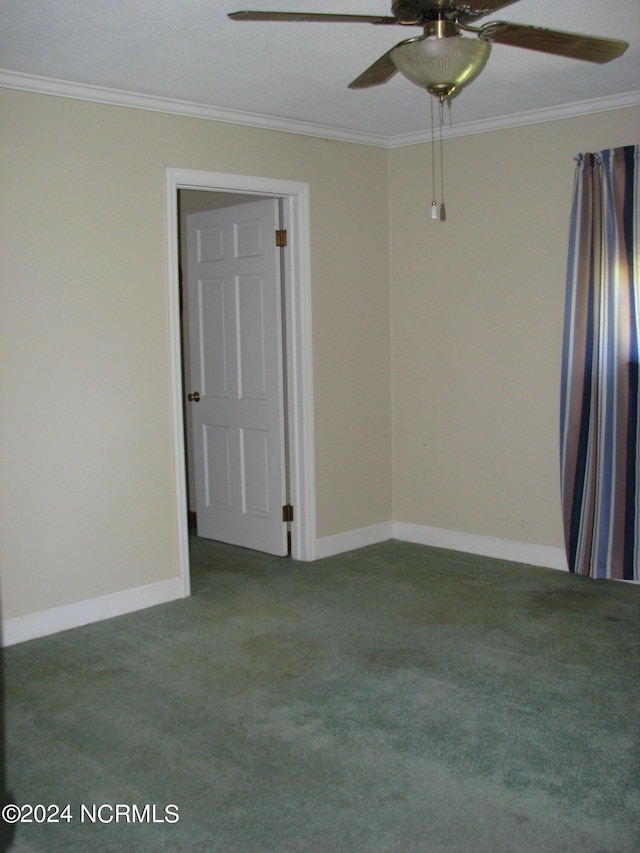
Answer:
[(235, 345)]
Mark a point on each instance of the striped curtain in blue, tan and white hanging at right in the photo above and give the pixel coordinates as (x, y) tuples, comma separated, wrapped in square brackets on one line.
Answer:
[(600, 400)]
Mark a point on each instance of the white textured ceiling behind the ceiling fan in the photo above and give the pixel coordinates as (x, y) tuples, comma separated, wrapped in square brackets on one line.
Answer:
[(188, 50)]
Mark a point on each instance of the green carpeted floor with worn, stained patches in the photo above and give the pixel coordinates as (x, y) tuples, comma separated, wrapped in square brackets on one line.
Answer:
[(396, 698)]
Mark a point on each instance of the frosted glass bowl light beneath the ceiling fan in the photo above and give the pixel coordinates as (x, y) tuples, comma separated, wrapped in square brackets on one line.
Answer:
[(441, 61)]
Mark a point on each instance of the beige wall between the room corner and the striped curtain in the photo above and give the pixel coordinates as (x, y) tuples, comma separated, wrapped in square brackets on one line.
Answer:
[(477, 312)]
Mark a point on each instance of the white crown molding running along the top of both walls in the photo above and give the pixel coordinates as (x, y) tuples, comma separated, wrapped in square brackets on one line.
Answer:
[(191, 109)]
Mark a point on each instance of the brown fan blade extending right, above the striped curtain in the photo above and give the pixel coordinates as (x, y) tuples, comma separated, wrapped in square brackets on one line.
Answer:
[(573, 45)]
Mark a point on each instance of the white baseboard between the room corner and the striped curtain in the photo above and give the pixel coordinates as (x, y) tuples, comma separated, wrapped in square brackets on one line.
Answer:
[(487, 546)]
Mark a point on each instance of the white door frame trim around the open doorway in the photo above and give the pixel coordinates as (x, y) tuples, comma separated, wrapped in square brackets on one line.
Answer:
[(297, 296)]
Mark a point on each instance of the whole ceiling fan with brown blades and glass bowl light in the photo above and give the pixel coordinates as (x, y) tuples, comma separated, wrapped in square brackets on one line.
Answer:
[(442, 60)]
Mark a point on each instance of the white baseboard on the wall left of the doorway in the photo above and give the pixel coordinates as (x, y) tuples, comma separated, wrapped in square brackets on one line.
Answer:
[(21, 628)]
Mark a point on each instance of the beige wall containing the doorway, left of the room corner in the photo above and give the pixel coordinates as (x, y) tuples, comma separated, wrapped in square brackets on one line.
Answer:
[(87, 495)]
